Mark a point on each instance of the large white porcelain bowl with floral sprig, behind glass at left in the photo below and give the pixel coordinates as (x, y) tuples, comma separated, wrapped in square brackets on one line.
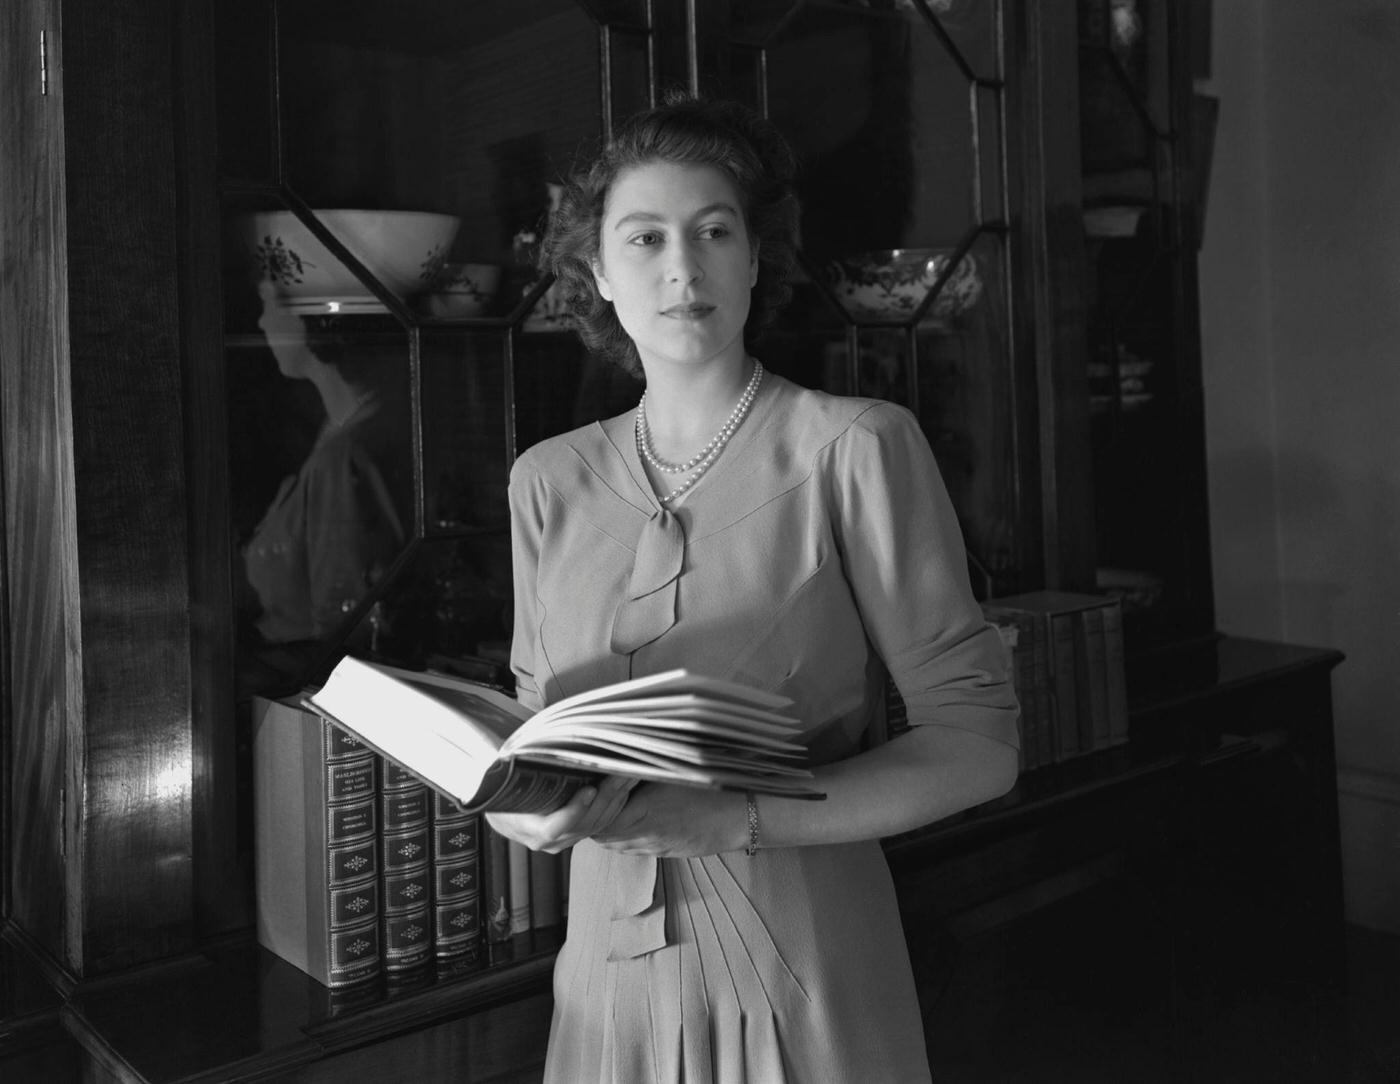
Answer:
[(404, 250)]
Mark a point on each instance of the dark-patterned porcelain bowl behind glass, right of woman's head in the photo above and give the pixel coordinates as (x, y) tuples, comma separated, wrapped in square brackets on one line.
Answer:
[(890, 285)]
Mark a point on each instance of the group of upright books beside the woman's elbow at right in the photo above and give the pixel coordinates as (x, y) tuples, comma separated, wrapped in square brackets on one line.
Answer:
[(1069, 672)]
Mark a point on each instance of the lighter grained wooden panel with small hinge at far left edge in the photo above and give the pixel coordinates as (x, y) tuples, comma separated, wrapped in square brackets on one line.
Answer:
[(38, 480)]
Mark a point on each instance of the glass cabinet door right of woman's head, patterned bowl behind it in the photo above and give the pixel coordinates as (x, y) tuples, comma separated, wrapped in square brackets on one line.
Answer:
[(898, 113)]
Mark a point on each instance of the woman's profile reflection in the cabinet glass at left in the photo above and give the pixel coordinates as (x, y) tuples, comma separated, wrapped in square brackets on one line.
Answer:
[(337, 522)]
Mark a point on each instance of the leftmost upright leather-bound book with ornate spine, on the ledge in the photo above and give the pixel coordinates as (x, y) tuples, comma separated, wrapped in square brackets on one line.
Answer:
[(316, 820)]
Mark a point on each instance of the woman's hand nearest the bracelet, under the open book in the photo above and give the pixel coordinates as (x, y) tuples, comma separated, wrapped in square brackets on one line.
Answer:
[(678, 823)]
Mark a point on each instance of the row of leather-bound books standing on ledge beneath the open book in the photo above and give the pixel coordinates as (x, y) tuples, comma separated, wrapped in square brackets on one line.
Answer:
[(363, 870)]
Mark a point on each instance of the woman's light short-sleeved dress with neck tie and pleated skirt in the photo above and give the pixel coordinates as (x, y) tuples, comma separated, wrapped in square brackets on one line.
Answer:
[(817, 551)]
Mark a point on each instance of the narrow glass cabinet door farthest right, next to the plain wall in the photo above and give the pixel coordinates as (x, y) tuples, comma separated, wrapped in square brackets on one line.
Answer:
[(1143, 351)]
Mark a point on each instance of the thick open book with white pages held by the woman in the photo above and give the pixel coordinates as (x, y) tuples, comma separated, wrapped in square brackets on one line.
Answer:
[(486, 751)]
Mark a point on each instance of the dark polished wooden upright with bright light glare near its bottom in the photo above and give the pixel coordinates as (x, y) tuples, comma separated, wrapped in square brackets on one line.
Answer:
[(129, 471)]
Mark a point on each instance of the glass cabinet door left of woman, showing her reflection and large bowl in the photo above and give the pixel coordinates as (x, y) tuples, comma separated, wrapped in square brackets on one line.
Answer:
[(390, 347)]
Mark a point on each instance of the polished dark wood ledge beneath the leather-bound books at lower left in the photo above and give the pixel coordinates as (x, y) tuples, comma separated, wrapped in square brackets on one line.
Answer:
[(236, 1012)]
